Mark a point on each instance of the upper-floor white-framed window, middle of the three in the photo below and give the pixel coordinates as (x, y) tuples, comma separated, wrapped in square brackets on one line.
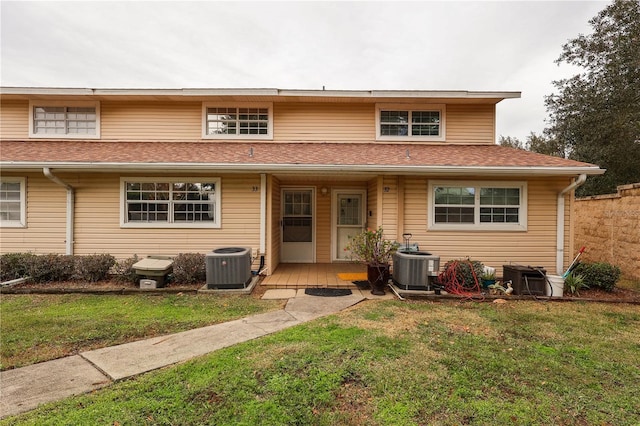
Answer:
[(249, 121)]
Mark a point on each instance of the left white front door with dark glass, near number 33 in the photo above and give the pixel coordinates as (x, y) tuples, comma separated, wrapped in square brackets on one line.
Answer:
[(298, 226)]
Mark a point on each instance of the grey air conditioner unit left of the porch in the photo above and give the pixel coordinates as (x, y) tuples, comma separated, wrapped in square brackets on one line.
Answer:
[(228, 267)]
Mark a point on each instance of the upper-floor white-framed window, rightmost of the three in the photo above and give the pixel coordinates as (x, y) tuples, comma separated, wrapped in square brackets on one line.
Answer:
[(401, 122)]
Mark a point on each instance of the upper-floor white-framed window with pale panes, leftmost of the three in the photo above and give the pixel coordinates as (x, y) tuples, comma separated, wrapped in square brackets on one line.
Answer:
[(64, 120)]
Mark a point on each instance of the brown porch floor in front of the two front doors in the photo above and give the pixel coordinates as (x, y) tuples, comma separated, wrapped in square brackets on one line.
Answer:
[(308, 275)]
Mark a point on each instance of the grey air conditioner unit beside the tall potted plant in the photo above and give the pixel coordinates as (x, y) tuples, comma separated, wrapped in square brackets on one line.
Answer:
[(414, 270)]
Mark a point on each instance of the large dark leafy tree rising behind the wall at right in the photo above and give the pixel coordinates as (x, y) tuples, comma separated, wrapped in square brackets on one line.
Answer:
[(595, 116)]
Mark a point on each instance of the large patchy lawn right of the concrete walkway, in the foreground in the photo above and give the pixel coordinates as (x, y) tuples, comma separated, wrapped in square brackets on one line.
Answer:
[(399, 363)]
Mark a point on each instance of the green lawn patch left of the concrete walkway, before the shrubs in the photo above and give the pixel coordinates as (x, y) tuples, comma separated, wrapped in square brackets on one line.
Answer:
[(38, 328)]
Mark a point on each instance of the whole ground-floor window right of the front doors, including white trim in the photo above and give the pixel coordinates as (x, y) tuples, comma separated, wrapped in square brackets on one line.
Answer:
[(478, 206)]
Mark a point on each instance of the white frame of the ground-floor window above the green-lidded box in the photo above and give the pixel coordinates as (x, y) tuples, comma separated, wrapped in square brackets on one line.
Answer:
[(217, 223)]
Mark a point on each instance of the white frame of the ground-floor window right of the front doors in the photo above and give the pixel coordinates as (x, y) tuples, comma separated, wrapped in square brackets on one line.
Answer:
[(477, 225)]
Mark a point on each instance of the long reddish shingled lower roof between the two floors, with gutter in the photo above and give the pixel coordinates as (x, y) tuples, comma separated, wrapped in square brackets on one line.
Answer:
[(291, 157)]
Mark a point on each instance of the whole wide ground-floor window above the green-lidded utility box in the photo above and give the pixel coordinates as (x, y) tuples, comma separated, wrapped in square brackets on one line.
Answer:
[(170, 203)]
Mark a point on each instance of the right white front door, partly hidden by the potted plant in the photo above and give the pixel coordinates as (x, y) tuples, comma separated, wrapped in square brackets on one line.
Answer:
[(348, 219)]
